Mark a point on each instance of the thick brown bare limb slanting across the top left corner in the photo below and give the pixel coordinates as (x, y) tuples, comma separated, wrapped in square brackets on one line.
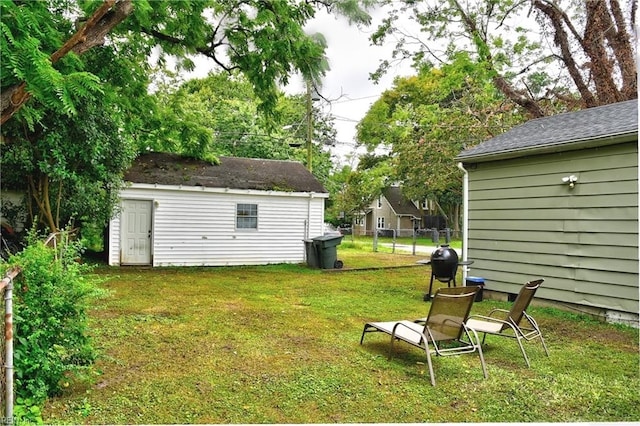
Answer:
[(92, 34)]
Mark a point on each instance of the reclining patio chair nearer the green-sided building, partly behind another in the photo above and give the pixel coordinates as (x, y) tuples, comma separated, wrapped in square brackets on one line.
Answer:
[(515, 323)]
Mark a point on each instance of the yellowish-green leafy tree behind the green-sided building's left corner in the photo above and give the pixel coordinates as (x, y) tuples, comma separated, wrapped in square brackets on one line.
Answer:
[(426, 120)]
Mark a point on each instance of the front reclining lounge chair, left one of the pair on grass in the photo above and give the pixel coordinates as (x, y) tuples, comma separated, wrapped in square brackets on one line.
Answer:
[(444, 332)]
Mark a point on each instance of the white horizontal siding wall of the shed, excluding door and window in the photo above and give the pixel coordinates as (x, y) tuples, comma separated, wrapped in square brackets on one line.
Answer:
[(196, 226)]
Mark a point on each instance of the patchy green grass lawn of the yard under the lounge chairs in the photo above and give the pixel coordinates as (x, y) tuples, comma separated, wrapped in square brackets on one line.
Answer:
[(280, 344)]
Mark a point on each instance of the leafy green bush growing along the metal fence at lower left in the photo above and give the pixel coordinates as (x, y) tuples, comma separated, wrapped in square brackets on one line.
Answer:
[(51, 342)]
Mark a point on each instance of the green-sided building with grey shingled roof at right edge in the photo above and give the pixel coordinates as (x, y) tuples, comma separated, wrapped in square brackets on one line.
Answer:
[(557, 198)]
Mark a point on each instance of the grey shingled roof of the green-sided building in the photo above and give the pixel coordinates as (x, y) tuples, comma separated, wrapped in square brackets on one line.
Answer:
[(560, 131)]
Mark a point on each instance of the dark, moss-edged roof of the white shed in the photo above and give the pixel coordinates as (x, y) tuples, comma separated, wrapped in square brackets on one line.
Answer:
[(232, 172)]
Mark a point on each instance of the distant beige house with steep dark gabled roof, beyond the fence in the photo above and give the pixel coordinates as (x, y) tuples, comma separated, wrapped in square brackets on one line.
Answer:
[(391, 212)]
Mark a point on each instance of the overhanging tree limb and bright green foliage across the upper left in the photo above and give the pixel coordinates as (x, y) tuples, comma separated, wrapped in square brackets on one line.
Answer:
[(264, 39)]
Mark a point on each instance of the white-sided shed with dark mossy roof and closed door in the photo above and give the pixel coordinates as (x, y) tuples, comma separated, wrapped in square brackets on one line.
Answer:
[(186, 212)]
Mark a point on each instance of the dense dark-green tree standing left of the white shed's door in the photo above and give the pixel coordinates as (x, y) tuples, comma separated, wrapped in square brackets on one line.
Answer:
[(71, 166)]
